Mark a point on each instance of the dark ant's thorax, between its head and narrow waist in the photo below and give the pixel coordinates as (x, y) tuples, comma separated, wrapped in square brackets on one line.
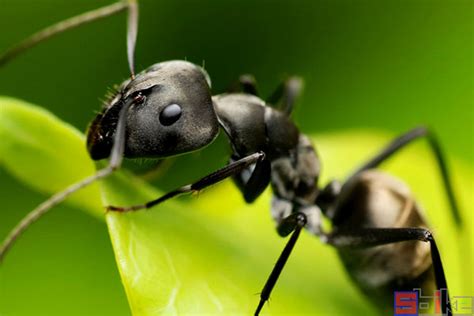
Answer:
[(253, 126)]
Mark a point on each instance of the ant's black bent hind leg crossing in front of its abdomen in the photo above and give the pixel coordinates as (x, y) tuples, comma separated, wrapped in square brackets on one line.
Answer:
[(370, 237)]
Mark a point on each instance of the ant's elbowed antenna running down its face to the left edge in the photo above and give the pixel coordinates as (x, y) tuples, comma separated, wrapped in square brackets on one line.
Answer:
[(115, 162)]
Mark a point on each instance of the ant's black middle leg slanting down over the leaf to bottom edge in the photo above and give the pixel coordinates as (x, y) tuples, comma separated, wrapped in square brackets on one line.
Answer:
[(293, 223)]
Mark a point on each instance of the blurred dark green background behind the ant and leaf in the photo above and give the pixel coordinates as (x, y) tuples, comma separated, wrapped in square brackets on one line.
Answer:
[(387, 65)]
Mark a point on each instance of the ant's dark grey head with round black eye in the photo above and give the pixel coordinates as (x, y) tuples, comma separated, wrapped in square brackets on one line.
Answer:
[(172, 113)]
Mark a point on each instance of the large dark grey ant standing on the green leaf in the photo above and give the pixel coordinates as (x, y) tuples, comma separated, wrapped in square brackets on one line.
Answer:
[(168, 109)]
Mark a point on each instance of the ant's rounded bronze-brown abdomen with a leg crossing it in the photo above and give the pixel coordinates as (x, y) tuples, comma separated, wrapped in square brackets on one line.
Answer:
[(377, 200)]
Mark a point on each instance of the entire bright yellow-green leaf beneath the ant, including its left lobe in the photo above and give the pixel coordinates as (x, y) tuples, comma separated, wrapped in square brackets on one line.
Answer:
[(212, 253)]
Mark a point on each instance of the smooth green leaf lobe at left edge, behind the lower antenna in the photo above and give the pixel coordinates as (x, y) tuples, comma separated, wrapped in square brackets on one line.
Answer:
[(45, 153)]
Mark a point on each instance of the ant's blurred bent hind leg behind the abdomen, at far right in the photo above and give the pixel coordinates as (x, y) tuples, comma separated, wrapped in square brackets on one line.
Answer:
[(405, 139)]
